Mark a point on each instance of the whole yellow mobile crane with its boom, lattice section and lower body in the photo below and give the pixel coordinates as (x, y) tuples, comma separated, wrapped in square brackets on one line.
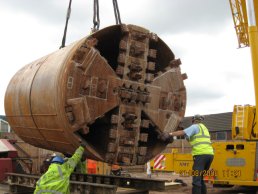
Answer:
[(235, 162)]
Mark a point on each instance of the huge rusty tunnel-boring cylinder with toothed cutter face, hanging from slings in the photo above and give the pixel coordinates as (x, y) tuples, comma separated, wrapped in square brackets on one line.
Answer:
[(116, 89)]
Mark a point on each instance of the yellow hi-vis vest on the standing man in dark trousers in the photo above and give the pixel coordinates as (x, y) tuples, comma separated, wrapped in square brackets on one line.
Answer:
[(201, 142)]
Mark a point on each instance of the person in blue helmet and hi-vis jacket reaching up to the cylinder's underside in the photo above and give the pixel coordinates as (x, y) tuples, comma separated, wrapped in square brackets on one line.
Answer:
[(57, 178)]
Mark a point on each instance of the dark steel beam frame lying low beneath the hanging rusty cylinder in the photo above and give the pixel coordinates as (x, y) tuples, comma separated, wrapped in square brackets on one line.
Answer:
[(93, 184)]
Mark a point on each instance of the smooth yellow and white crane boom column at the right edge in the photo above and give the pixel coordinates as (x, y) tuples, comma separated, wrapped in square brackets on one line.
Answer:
[(253, 41)]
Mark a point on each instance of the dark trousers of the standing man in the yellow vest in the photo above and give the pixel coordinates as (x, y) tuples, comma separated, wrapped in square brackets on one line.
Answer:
[(201, 164)]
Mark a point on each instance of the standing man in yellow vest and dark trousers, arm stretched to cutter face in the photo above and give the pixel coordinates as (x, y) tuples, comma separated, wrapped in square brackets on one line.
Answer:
[(202, 151)]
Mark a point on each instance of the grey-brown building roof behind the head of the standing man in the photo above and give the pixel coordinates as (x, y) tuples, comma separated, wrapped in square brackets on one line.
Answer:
[(214, 122)]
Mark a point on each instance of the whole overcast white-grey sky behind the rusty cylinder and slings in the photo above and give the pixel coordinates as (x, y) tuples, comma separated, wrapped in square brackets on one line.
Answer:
[(199, 32)]
